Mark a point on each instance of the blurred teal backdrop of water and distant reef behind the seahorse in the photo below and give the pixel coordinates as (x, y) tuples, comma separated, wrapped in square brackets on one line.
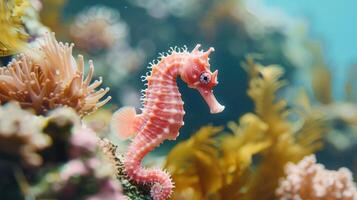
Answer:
[(313, 41)]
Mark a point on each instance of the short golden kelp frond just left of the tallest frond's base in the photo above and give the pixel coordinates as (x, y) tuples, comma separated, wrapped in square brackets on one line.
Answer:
[(245, 140)]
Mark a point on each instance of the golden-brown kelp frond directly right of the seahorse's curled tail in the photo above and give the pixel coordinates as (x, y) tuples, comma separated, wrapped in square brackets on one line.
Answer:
[(194, 167)]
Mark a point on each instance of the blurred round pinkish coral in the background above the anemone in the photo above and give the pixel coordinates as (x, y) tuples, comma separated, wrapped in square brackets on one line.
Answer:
[(97, 28)]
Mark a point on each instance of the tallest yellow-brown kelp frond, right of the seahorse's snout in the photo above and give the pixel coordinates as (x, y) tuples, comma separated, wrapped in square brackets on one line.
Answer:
[(287, 143)]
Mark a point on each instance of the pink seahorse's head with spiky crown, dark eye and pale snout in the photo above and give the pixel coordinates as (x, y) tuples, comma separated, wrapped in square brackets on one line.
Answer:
[(197, 74)]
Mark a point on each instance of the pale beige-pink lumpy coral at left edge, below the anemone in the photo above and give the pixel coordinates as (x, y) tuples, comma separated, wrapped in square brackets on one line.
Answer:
[(21, 135)]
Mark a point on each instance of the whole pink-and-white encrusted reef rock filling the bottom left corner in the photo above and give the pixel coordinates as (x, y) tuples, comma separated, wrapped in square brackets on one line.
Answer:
[(69, 160)]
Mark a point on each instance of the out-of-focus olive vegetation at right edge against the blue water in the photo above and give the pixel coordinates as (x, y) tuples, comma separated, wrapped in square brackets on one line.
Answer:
[(342, 115)]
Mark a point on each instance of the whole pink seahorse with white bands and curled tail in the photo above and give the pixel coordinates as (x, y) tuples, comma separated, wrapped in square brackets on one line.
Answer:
[(162, 112)]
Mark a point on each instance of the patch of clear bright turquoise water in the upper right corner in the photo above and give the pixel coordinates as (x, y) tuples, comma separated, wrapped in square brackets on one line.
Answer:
[(335, 24)]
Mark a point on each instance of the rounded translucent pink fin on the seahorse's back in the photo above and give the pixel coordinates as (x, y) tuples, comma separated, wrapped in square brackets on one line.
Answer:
[(123, 122)]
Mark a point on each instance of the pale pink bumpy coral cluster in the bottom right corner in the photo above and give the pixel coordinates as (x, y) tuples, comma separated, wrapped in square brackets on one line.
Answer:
[(310, 180)]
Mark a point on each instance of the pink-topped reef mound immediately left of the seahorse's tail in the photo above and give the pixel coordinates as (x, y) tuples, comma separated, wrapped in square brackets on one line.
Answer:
[(86, 173)]
